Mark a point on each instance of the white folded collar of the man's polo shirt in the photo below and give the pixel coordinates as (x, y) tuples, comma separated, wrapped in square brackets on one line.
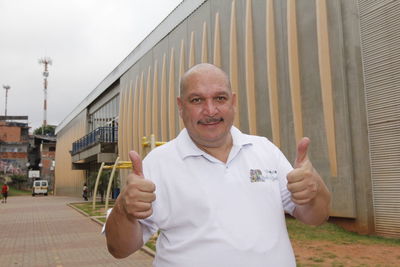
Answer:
[(187, 148)]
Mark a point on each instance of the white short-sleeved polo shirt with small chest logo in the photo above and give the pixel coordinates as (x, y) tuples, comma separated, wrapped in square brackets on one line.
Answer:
[(211, 213)]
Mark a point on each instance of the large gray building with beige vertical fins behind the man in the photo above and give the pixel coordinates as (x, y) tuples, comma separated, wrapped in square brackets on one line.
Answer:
[(324, 69)]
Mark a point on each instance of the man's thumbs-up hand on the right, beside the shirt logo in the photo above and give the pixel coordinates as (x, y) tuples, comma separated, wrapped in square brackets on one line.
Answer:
[(303, 180)]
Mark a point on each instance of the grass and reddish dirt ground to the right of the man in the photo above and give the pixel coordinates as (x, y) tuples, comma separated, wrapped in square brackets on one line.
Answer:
[(331, 245)]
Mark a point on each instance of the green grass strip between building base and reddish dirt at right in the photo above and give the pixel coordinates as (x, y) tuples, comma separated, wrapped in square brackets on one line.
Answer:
[(333, 233)]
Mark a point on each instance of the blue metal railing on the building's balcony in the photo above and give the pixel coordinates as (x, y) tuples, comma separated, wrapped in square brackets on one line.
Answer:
[(106, 134)]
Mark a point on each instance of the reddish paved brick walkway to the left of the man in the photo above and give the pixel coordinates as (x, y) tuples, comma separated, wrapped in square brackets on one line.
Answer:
[(44, 231)]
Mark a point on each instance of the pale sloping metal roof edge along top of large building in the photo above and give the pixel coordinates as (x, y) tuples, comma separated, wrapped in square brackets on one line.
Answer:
[(181, 12)]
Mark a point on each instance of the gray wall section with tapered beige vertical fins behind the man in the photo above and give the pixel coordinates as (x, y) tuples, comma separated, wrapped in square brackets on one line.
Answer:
[(286, 64)]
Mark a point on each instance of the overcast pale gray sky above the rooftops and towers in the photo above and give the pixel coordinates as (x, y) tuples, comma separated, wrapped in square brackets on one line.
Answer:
[(86, 39)]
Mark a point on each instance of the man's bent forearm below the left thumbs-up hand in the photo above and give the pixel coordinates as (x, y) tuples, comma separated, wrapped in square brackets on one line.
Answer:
[(124, 236)]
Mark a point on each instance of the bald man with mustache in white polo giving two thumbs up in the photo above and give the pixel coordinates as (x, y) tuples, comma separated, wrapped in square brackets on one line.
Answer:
[(218, 197)]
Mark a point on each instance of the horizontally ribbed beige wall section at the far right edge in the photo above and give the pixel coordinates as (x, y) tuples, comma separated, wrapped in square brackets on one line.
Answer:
[(380, 36)]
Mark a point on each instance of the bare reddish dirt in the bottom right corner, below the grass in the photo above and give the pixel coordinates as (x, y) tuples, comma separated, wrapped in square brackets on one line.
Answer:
[(323, 253)]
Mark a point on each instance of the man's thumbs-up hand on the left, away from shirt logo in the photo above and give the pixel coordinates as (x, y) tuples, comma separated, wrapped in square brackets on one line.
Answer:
[(138, 195)]
